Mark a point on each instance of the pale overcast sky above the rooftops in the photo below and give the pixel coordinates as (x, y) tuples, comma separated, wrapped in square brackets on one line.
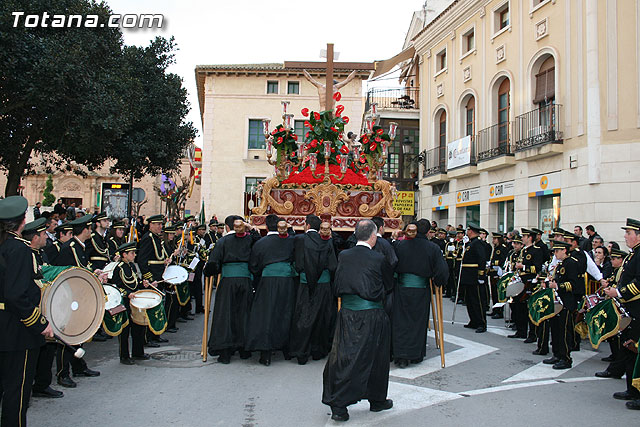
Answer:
[(255, 31)]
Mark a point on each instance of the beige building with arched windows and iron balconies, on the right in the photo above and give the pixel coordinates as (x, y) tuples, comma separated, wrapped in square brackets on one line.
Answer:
[(530, 114)]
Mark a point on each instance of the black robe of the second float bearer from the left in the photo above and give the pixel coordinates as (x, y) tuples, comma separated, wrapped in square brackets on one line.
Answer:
[(272, 309)]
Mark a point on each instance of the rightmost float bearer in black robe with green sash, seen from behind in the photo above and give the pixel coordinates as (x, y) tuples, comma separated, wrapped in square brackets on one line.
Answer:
[(419, 261)]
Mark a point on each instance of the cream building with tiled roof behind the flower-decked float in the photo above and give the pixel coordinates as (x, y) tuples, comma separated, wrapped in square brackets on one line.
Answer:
[(234, 99)]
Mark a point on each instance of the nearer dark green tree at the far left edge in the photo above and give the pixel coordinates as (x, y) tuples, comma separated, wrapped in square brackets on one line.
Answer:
[(60, 89)]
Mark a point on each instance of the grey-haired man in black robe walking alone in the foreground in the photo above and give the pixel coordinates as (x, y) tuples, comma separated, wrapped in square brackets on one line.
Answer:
[(358, 365)]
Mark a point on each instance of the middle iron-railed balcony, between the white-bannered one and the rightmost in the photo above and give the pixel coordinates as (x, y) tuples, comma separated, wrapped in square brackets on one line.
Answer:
[(495, 146)]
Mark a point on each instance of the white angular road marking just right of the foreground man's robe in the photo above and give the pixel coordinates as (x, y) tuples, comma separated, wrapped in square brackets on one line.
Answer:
[(470, 350)]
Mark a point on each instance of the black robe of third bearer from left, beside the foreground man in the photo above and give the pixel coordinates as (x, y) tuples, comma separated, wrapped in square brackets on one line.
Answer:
[(315, 311)]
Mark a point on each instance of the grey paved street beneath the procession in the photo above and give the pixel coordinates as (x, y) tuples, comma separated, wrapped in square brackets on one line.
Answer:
[(489, 380)]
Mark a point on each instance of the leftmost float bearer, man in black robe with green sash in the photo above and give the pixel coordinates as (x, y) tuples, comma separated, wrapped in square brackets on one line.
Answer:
[(230, 259)]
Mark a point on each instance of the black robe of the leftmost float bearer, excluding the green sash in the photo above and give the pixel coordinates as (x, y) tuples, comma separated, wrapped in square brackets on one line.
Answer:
[(233, 294)]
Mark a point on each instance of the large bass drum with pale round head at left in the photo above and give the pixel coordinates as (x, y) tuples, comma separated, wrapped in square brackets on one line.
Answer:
[(74, 305)]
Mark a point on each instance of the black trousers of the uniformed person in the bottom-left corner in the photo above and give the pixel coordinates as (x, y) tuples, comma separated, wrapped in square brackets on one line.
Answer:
[(17, 370)]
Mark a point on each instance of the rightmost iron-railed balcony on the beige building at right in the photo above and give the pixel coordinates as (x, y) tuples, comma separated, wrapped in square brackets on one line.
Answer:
[(538, 133)]
